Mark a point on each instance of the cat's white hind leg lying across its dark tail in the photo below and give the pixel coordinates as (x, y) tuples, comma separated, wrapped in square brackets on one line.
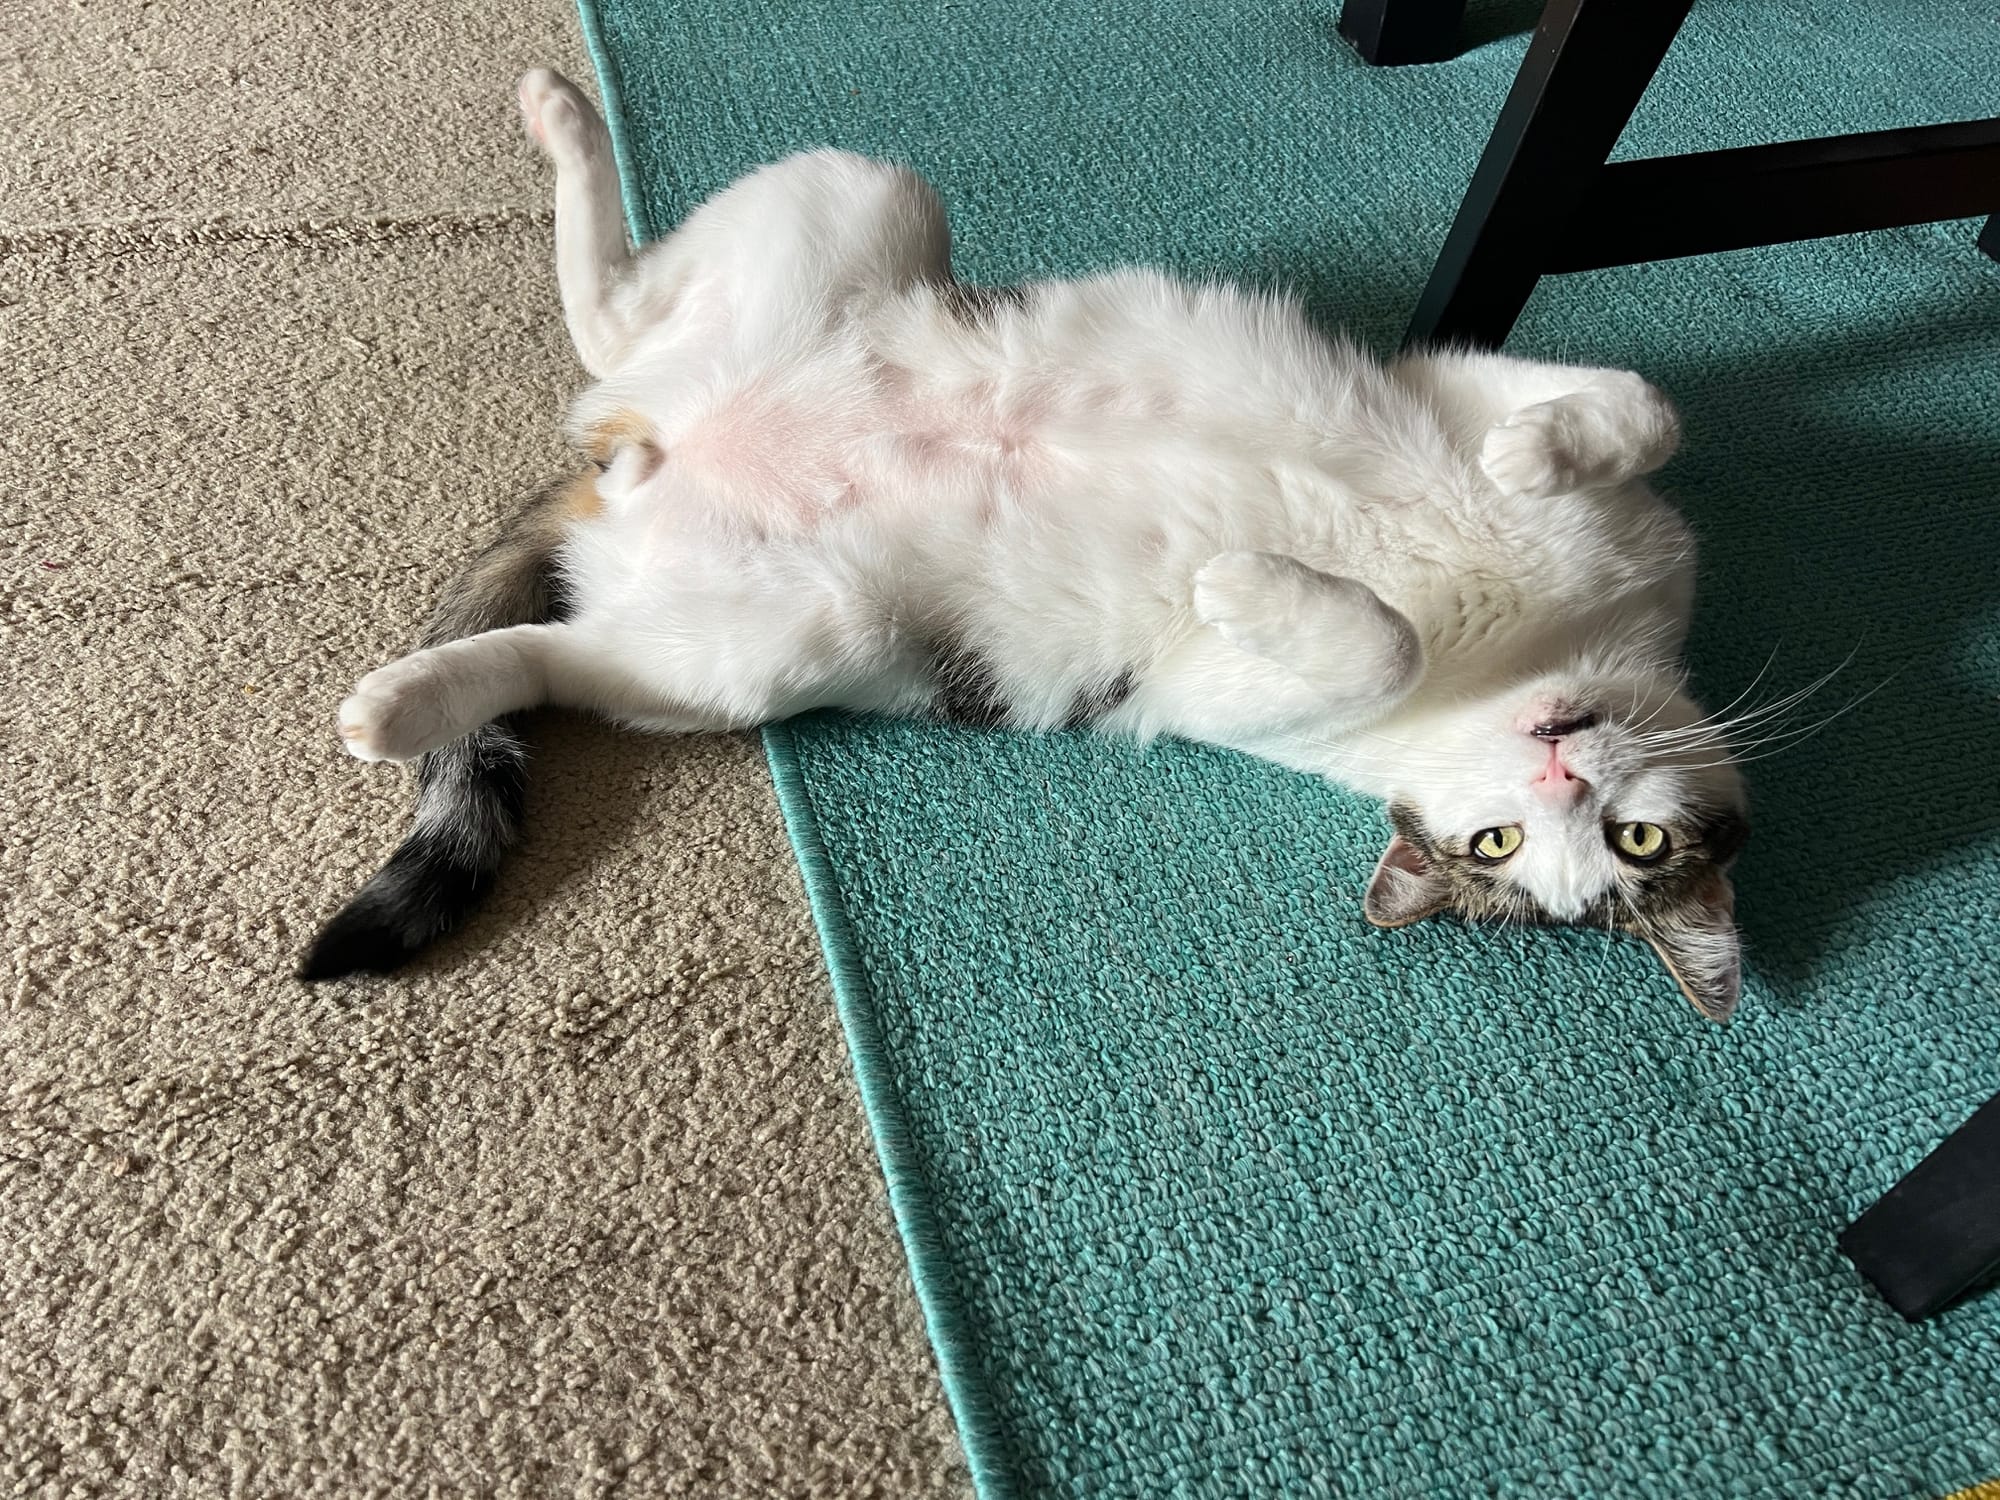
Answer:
[(441, 695)]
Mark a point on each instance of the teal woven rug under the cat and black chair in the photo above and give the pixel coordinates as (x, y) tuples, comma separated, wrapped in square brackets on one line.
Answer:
[(1211, 1189)]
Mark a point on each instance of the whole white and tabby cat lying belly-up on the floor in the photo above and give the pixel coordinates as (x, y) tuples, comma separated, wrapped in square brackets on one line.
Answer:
[(831, 475)]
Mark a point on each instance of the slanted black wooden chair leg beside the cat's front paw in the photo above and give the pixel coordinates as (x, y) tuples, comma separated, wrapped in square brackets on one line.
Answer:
[(1579, 85)]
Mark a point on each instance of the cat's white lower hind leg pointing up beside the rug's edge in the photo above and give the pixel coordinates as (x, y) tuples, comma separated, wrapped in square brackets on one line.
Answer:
[(591, 243)]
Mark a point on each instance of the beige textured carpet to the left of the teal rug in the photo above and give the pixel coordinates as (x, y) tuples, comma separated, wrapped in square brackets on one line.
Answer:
[(587, 1205)]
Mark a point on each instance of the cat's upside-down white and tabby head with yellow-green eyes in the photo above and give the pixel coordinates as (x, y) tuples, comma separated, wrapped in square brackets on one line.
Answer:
[(1595, 799)]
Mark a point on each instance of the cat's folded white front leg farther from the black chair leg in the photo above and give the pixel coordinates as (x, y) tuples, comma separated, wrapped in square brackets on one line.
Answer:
[(1287, 647)]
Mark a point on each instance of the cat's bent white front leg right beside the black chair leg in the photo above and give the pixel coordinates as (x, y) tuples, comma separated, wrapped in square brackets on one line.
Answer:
[(1547, 429)]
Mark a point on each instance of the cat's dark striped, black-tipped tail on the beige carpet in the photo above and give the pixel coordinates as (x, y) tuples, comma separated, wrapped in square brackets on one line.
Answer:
[(471, 793)]
